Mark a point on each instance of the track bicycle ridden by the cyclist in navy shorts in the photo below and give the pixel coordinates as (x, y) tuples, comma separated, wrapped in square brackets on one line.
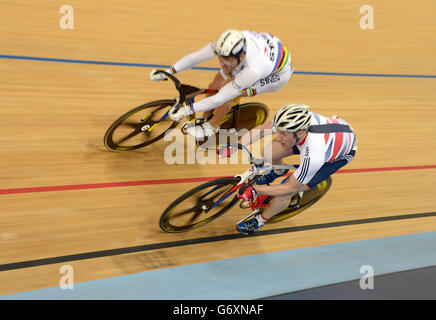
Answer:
[(212, 199)]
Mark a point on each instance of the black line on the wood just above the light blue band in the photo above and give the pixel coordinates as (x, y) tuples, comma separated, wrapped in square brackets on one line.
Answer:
[(172, 244)]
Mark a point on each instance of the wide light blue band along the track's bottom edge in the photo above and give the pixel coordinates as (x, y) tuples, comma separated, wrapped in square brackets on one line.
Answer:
[(258, 276)]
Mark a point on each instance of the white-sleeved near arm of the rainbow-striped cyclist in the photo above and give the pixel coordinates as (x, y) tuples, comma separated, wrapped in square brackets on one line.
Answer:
[(231, 90)]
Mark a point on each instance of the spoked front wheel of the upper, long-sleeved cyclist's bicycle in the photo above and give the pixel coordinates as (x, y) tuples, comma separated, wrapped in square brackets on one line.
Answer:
[(139, 127)]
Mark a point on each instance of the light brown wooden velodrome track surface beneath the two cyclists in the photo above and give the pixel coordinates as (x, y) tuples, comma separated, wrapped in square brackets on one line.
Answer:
[(54, 116)]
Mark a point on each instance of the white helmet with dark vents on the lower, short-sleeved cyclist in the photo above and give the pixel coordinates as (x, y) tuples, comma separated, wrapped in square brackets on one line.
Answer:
[(292, 117)]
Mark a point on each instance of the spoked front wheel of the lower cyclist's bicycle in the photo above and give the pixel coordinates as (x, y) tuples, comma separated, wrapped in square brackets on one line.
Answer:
[(199, 205)]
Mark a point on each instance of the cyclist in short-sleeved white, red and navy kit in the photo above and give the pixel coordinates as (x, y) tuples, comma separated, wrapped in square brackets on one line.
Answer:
[(324, 144)]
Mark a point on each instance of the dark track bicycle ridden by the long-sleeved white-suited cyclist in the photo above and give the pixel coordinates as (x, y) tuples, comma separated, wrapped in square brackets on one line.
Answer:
[(149, 122)]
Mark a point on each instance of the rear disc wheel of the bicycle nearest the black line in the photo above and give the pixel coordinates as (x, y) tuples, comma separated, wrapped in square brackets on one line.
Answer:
[(308, 199)]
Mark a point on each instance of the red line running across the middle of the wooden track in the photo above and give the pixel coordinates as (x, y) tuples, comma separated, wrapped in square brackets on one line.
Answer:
[(170, 181)]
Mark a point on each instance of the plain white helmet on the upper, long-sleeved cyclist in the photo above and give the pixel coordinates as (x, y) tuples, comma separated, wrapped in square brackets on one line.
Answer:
[(231, 43)]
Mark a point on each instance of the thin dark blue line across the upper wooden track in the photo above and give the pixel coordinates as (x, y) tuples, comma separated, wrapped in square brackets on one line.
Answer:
[(128, 64)]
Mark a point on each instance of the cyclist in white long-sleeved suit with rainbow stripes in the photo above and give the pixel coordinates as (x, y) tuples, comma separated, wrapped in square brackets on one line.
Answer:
[(251, 63)]
